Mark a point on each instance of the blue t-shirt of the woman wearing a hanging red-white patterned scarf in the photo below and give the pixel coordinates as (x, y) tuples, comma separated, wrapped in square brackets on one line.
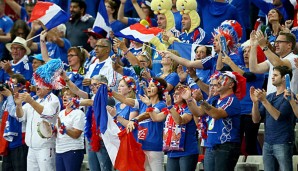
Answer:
[(191, 141)]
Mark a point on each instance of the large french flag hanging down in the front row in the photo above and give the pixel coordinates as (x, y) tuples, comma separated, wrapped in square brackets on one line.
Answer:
[(124, 152)]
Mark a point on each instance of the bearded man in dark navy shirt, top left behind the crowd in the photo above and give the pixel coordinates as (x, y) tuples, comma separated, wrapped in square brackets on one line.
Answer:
[(78, 22)]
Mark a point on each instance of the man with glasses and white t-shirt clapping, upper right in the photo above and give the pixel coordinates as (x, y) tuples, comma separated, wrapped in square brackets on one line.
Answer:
[(283, 55)]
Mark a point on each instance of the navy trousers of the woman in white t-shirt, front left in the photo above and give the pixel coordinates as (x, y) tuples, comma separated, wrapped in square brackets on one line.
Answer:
[(70, 160)]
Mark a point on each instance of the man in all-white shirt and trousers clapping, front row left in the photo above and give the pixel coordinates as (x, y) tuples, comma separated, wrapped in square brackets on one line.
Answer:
[(44, 106)]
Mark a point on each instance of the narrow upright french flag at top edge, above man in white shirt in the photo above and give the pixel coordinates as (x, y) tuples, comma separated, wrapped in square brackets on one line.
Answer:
[(102, 20)]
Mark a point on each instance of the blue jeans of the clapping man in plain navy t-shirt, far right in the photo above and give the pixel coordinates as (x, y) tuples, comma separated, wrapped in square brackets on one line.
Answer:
[(278, 154)]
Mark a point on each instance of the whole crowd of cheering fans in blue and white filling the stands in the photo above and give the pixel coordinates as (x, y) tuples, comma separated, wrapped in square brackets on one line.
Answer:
[(211, 105)]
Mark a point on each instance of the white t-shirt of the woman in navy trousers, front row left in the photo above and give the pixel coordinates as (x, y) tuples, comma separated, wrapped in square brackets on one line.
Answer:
[(75, 119)]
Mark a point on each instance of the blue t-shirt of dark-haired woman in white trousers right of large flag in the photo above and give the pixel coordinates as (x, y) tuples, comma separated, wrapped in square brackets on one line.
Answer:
[(153, 139)]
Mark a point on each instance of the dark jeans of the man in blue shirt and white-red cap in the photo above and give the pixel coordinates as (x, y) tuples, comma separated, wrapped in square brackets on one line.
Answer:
[(222, 157)]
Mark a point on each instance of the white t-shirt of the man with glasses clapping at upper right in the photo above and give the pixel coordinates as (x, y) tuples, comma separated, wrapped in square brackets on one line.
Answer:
[(294, 82)]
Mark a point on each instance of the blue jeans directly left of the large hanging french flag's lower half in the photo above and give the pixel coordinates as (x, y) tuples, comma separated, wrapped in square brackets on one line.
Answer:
[(99, 161)]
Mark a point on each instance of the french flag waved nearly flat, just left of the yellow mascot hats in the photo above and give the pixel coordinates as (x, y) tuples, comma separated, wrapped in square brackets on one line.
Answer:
[(139, 33)]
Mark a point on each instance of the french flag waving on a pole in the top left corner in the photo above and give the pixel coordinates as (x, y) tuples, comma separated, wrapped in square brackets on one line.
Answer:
[(50, 14)]
